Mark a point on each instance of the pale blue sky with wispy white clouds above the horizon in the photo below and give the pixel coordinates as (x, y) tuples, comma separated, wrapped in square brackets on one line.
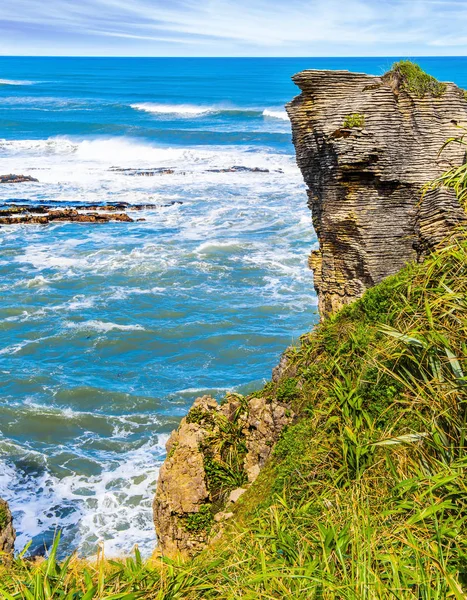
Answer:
[(233, 28)]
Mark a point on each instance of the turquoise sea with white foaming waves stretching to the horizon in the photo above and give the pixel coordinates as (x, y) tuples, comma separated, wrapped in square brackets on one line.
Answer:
[(109, 332)]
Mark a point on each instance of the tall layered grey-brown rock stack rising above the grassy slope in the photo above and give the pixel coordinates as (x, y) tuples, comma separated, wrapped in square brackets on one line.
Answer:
[(364, 183)]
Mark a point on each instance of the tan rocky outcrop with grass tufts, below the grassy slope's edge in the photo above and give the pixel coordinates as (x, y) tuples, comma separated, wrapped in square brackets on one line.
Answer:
[(215, 453)]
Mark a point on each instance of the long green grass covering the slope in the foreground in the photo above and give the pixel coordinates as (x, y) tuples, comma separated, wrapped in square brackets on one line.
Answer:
[(365, 495)]
